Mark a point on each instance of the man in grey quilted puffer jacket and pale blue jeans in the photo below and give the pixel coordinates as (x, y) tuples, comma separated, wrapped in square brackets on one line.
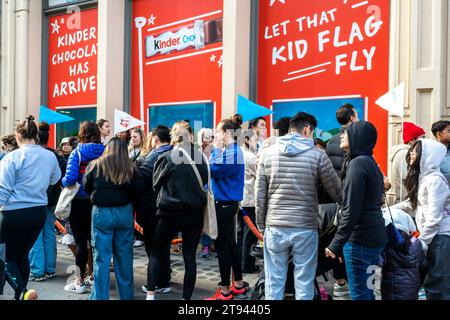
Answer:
[(287, 207)]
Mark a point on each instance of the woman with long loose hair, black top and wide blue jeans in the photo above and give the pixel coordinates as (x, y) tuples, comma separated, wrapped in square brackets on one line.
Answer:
[(113, 183)]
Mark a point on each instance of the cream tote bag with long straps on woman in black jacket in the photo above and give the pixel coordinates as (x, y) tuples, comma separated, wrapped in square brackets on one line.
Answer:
[(209, 211)]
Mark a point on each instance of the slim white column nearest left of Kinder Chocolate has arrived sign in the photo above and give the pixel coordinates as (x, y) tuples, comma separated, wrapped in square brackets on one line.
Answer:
[(22, 12)]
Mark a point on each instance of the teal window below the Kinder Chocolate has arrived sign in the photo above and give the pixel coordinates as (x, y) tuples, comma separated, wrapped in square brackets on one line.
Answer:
[(70, 129)]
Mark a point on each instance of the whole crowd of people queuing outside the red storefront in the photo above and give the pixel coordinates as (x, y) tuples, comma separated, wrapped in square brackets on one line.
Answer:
[(159, 181)]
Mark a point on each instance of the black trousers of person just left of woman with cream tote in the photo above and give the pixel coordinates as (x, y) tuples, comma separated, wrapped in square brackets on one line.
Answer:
[(149, 226)]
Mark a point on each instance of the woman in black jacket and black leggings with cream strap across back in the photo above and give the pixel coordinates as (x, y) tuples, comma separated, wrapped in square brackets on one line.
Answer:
[(179, 179)]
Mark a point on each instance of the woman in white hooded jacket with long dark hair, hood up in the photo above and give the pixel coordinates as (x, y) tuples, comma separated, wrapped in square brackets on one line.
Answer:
[(429, 198)]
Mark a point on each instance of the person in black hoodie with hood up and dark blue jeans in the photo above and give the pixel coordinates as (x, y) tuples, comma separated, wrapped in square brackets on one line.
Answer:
[(361, 232)]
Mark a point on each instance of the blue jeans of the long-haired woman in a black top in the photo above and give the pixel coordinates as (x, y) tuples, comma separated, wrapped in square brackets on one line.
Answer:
[(113, 234)]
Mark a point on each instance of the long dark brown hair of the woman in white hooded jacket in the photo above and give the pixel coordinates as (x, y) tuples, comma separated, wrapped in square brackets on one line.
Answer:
[(412, 179)]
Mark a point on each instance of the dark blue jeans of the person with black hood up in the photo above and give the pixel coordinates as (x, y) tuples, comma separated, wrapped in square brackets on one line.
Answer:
[(361, 262)]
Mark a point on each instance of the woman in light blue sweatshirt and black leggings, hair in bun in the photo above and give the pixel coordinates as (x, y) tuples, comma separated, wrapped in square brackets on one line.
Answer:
[(25, 175)]
